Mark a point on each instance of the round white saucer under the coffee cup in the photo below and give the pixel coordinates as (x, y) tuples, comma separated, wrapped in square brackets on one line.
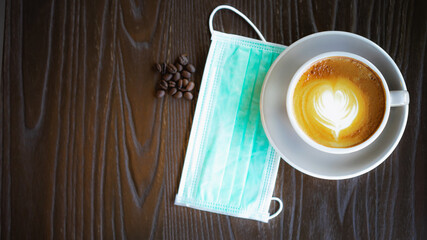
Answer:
[(283, 137)]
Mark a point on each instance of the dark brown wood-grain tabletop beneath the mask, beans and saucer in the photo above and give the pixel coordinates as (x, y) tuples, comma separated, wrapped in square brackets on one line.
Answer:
[(88, 152)]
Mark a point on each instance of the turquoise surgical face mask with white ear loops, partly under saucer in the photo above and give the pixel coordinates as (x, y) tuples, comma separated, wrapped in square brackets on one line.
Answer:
[(230, 167)]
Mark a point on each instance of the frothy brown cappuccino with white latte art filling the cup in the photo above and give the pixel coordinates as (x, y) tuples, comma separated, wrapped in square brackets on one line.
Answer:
[(339, 102)]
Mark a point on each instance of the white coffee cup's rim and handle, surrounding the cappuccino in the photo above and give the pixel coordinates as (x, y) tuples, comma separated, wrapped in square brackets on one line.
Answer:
[(392, 99)]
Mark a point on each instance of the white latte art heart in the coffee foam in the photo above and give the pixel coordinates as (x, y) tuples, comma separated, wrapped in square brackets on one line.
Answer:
[(335, 110)]
